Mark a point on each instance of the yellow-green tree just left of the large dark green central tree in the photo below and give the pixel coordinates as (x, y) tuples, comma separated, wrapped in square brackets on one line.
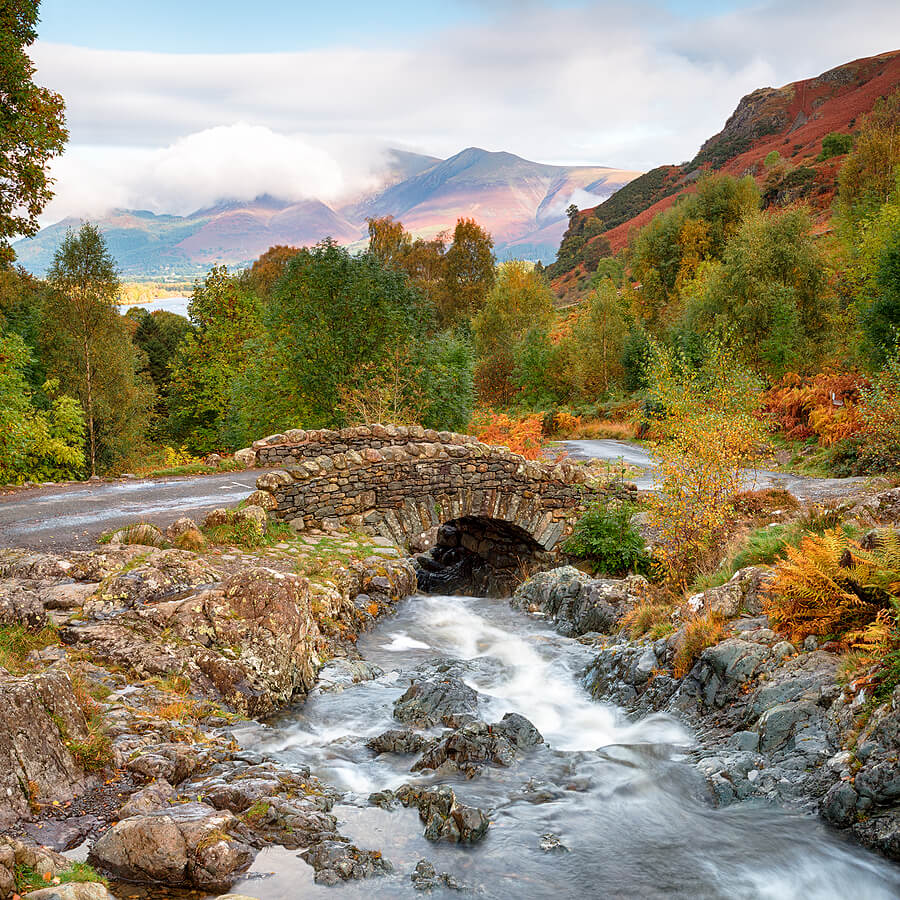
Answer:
[(211, 359)]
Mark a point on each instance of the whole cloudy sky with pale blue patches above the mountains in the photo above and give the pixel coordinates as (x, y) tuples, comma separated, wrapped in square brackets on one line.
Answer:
[(176, 104)]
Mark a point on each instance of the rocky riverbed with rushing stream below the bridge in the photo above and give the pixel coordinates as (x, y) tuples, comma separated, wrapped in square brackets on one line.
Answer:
[(297, 720)]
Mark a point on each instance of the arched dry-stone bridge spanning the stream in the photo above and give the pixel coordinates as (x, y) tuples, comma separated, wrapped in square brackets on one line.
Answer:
[(407, 482)]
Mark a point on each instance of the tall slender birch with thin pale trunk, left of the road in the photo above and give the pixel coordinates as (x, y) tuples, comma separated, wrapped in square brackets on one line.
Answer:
[(89, 350)]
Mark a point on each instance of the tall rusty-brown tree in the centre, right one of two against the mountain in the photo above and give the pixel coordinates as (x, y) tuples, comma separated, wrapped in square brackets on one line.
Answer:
[(468, 273)]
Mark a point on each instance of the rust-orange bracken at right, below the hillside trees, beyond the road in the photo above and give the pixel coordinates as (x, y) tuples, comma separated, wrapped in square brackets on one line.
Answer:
[(825, 406)]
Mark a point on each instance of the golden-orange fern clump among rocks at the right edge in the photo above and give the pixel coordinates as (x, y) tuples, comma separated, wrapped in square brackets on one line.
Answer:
[(831, 587)]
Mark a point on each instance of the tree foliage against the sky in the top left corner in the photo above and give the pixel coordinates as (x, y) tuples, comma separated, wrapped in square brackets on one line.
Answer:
[(32, 128)]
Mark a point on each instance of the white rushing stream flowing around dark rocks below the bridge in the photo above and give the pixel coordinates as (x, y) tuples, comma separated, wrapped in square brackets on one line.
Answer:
[(620, 796)]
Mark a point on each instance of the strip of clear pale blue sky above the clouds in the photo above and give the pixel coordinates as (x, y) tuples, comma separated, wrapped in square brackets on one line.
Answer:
[(230, 26)]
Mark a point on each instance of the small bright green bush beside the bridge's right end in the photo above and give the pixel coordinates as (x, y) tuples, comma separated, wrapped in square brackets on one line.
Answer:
[(605, 537)]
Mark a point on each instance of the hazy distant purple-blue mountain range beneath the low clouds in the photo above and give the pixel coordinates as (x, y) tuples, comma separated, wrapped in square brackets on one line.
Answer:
[(521, 203)]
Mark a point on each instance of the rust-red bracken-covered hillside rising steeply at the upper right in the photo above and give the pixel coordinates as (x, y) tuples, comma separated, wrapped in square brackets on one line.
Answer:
[(790, 121)]
